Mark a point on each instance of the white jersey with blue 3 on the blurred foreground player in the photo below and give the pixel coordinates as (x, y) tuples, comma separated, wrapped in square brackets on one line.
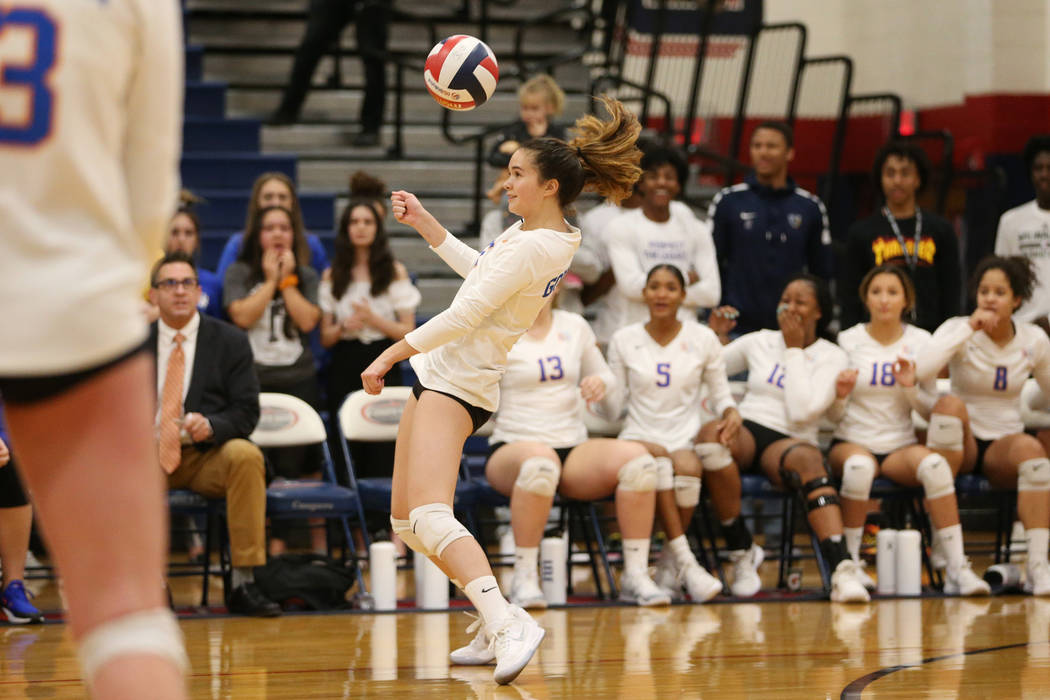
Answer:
[(91, 123)]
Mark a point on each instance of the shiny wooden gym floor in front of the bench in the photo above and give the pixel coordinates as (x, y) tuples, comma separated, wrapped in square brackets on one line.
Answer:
[(931, 648)]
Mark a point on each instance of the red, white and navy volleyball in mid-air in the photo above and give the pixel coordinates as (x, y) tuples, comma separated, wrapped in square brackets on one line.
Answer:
[(461, 73)]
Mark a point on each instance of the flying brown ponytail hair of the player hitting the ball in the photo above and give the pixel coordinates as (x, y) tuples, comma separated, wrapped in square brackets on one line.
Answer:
[(602, 158)]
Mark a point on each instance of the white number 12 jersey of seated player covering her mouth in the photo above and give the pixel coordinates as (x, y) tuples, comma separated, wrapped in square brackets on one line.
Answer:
[(789, 389)]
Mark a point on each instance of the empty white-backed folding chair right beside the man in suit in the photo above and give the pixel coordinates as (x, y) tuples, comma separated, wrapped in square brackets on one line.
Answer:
[(287, 421)]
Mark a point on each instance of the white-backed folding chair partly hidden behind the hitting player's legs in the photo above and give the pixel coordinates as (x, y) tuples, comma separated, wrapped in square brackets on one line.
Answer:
[(366, 418)]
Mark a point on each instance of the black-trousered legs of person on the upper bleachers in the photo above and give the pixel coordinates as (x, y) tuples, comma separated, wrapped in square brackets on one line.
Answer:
[(326, 22)]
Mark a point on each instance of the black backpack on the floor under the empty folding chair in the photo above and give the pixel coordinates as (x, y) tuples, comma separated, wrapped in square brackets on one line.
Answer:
[(307, 582)]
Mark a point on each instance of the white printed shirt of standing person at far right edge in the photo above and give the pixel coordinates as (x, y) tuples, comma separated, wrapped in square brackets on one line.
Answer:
[(1025, 230)]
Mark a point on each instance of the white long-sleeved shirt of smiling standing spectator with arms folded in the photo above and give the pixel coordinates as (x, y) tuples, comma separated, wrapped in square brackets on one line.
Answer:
[(638, 244)]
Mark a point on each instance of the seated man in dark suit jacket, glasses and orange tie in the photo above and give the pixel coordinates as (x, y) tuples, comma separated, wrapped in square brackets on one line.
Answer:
[(209, 405)]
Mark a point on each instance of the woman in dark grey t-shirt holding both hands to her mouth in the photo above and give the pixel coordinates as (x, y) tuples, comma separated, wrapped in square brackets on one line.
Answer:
[(274, 296)]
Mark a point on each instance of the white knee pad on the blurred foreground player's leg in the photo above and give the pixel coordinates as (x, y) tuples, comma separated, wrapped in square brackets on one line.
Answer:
[(154, 632)]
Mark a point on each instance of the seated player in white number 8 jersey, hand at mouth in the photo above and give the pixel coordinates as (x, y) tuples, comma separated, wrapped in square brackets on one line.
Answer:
[(990, 357)]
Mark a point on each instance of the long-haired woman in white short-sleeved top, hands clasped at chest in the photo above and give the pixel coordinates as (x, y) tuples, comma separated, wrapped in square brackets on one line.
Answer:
[(368, 302)]
